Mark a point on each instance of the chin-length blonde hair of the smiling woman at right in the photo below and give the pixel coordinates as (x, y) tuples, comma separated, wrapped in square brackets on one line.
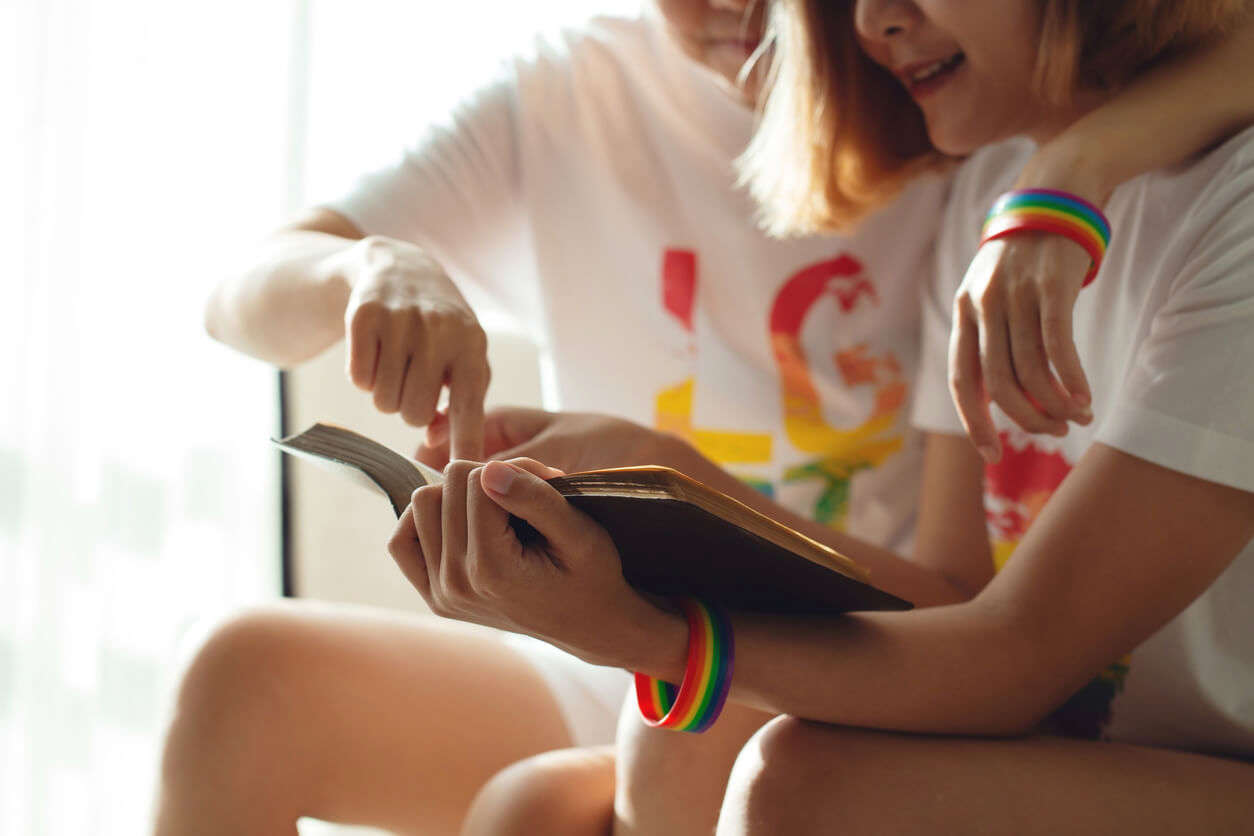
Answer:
[(840, 136)]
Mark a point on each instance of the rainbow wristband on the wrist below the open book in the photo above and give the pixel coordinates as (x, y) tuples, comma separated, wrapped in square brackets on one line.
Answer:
[(707, 680)]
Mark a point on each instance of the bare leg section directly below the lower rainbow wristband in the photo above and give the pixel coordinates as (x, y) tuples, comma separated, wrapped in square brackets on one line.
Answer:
[(674, 783)]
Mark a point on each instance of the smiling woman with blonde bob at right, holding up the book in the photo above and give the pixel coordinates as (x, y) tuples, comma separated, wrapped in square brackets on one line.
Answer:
[(1114, 649)]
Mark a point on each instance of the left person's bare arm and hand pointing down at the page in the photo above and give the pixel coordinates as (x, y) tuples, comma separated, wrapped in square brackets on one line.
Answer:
[(409, 330)]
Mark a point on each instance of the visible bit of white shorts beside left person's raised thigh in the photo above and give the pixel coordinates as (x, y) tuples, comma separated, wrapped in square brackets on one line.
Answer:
[(590, 696)]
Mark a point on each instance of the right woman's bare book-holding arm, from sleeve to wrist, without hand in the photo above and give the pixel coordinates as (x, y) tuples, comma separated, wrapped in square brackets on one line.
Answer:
[(1122, 548)]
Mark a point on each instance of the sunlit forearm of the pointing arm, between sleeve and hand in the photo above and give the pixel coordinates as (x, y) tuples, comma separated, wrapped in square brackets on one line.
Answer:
[(288, 306)]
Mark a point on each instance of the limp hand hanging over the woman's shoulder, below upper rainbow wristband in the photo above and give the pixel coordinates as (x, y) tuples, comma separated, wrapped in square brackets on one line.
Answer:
[(1011, 342)]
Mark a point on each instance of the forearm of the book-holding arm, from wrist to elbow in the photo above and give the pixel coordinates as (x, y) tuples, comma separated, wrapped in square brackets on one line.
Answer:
[(960, 670)]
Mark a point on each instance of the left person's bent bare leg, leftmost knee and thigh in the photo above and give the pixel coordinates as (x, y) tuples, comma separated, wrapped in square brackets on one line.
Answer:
[(348, 716)]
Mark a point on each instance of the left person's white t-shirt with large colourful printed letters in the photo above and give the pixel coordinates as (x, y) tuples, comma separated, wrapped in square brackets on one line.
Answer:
[(590, 191)]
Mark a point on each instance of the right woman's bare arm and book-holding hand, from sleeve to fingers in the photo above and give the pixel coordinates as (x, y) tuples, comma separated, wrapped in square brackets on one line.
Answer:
[(1120, 550)]
